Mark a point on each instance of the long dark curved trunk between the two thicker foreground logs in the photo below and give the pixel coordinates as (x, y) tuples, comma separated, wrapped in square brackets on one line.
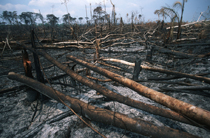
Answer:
[(115, 96)]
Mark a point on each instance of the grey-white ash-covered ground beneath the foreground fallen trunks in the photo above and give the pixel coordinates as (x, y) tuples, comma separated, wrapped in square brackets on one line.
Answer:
[(54, 120)]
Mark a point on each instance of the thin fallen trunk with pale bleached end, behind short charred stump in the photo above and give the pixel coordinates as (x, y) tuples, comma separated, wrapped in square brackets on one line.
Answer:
[(196, 77)]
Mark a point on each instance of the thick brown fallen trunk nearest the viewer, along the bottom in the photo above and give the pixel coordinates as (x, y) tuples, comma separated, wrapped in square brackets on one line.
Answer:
[(102, 115)]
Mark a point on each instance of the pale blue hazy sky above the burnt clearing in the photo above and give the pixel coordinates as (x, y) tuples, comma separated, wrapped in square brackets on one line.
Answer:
[(146, 8)]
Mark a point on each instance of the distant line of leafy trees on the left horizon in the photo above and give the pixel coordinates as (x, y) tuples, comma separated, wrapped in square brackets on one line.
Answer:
[(32, 19)]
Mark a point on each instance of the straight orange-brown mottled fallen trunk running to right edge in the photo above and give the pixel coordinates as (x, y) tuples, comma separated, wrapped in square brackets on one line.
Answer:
[(199, 115)]
